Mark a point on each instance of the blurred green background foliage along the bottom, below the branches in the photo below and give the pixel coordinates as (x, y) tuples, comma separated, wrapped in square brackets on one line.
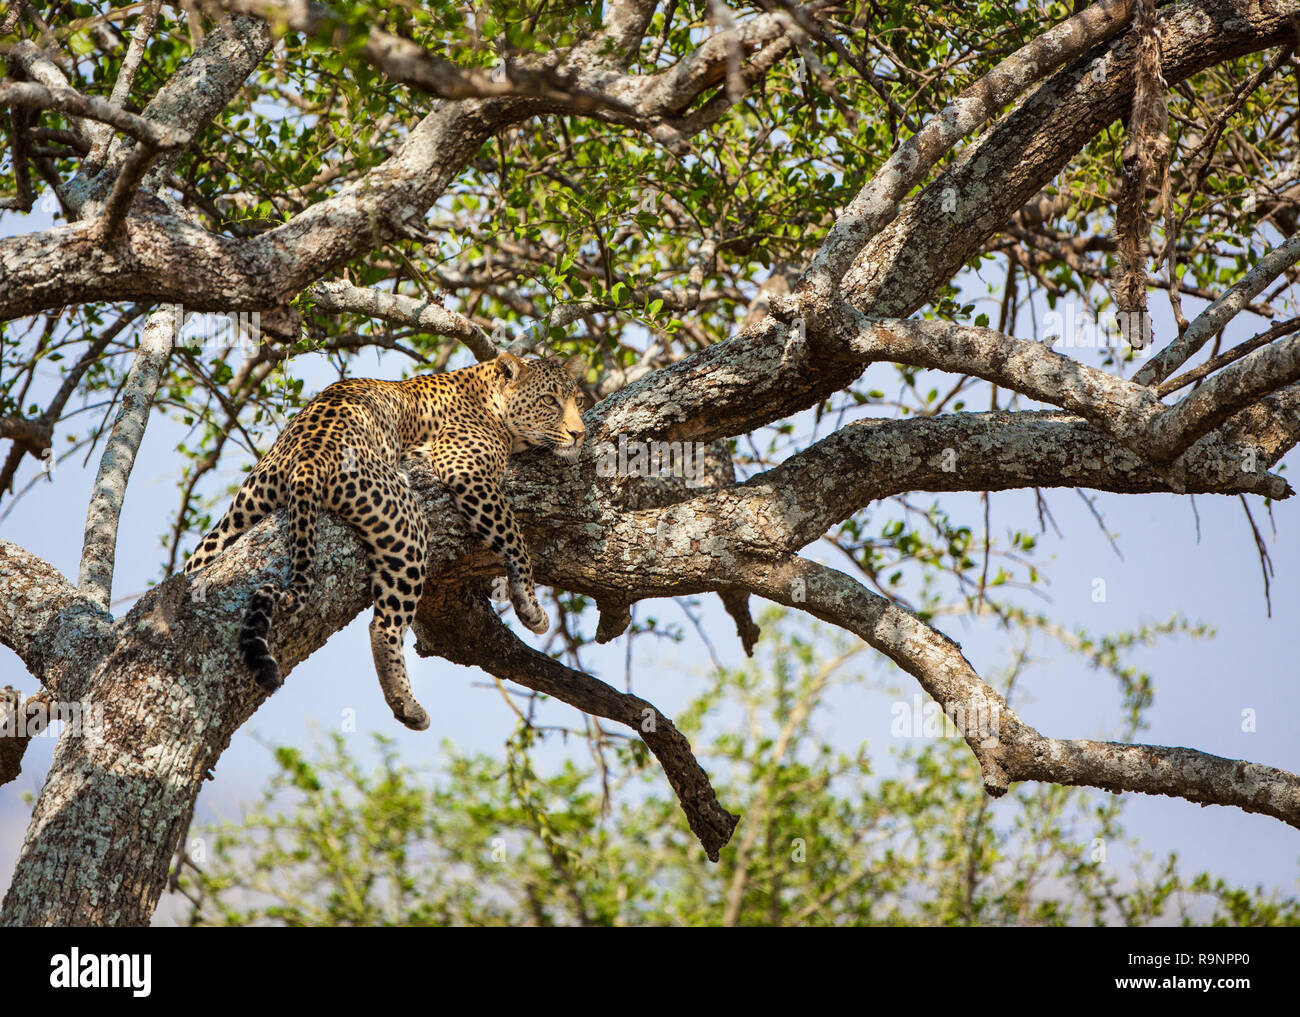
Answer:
[(825, 841)]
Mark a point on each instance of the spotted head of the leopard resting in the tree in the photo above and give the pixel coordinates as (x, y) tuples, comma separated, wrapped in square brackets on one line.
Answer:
[(543, 405)]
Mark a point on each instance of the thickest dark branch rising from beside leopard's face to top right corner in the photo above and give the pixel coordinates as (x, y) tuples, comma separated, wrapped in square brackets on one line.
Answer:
[(765, 374)]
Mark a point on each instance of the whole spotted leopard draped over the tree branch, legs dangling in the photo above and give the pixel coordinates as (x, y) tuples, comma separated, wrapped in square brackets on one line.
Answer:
[(352, 451)]
